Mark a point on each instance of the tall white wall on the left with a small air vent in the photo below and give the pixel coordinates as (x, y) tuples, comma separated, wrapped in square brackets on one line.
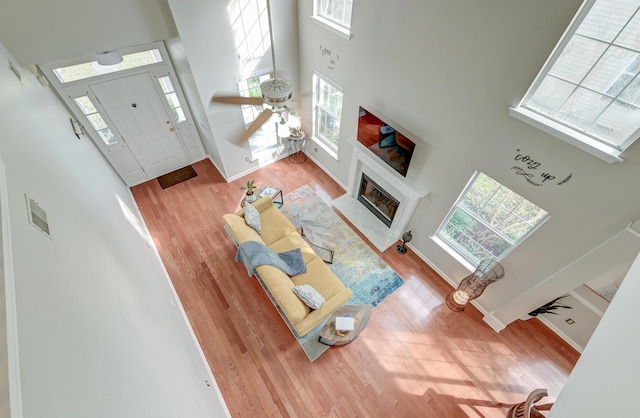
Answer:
[(100, 330)]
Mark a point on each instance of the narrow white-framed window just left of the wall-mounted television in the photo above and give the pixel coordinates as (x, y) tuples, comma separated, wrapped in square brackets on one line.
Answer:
[(327, 110)]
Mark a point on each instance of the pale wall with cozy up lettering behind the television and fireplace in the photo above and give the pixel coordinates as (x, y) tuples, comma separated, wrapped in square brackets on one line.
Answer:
[(446, 72)]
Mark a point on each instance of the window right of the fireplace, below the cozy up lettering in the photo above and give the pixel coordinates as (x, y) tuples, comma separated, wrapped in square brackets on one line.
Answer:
[(488, 220)]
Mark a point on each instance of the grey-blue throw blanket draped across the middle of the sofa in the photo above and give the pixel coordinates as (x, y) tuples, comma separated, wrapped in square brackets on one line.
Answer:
[(254, 254)]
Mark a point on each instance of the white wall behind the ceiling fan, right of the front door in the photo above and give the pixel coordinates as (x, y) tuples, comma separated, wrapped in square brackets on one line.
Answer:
[(205, 31)]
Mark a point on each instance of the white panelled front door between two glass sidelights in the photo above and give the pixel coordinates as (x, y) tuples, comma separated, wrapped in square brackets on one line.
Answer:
[(136, 109)]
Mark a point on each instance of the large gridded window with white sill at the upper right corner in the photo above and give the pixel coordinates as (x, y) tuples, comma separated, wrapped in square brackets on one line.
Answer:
[(588, 92)]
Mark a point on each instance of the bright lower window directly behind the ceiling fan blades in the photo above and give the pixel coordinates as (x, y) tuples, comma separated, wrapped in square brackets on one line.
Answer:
[(264, 138)]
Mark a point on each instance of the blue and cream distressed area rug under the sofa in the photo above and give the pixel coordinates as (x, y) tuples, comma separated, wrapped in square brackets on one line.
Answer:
[(358, 267)]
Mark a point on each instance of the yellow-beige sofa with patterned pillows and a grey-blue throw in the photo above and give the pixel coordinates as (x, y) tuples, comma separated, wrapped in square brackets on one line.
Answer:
[(279, 234)]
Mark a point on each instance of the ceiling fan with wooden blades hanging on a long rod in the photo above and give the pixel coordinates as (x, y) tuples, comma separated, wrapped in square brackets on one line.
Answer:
[(276, 92)]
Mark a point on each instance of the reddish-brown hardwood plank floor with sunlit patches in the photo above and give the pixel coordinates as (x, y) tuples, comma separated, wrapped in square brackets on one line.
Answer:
[(416, 358)]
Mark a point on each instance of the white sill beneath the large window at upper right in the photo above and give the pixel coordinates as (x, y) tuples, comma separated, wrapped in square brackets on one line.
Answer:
[(568, 135)]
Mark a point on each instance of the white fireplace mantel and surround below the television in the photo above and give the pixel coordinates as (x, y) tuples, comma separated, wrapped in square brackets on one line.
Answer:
[(406, 191)]
